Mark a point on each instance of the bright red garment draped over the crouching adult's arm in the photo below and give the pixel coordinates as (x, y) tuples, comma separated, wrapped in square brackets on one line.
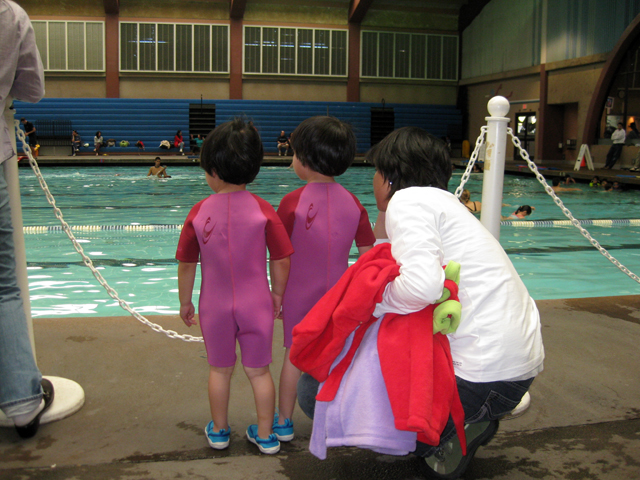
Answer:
[(416, 365)]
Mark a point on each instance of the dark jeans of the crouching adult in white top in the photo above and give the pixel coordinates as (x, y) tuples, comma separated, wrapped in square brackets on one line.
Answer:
[(480, 401)]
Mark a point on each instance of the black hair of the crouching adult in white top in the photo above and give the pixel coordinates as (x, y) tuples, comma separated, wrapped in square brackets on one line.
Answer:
[(411, 157)]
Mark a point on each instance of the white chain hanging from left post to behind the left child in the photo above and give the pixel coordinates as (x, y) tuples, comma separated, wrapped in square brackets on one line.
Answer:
[(86, 260)]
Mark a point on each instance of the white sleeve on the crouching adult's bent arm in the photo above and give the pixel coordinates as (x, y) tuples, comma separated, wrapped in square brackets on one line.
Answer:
[(413, 231)]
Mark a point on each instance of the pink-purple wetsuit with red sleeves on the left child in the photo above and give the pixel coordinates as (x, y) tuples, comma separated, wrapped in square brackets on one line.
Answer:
[(230, 233)]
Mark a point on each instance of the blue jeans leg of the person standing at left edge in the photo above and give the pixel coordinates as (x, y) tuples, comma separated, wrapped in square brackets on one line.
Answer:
[(20, 391)]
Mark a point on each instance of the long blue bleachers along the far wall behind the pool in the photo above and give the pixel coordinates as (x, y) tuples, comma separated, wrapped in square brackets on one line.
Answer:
[(153, 120)]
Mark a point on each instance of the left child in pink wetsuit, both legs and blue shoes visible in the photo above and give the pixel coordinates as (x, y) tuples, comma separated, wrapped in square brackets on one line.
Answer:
[(229, 232)]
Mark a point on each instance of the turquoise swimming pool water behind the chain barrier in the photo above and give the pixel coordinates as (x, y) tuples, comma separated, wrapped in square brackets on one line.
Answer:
[(140, 265)]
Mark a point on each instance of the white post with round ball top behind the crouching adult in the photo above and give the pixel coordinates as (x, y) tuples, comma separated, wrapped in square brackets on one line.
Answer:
[(496, 144)]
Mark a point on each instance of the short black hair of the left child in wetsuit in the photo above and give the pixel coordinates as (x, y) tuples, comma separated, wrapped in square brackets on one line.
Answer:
[(233, 151)]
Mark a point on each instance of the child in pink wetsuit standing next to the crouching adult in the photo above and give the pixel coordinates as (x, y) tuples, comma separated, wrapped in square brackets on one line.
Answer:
[(322, 219)]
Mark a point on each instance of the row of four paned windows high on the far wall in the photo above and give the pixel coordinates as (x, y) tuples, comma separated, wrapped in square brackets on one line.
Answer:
[(165, 47)]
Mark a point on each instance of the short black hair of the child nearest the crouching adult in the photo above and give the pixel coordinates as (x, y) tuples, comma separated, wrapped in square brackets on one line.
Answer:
[(325, 145)]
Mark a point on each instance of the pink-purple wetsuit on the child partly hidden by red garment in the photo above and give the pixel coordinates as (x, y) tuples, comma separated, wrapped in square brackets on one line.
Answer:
[(322, 220)]
